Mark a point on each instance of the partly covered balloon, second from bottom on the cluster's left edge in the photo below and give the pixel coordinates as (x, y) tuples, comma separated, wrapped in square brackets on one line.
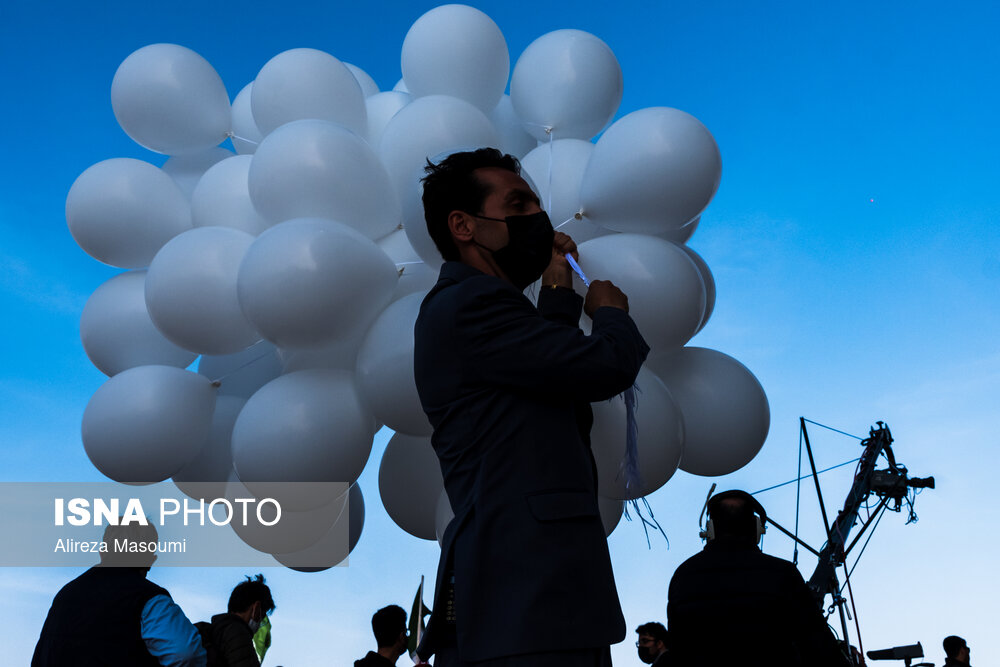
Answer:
[(116, 330)]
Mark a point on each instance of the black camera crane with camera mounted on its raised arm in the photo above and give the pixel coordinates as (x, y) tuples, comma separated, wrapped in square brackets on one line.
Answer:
[(890, 485)]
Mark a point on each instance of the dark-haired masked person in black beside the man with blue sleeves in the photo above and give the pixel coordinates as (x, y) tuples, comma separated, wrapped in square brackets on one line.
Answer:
[(231, 634)]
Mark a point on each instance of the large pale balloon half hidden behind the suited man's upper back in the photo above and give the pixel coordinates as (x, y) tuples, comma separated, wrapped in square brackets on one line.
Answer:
[(385, 369)]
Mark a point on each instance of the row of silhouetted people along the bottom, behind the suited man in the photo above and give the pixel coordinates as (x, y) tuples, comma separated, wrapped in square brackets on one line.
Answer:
[(730, 604)]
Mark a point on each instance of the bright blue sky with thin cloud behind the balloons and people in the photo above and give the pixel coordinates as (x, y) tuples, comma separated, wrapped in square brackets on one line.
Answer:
[(853, 241)]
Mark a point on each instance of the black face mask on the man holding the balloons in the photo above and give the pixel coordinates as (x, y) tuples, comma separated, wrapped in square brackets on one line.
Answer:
[(528, 250)]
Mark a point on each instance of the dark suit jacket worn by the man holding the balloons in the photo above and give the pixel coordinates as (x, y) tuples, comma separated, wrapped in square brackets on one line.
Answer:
[(507, 388)]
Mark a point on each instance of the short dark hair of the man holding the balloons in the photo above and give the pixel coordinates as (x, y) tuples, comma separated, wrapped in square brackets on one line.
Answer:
[(450, 185)]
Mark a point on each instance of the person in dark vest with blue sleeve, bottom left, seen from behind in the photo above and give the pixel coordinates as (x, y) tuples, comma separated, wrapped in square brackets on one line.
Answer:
[(112, 616)]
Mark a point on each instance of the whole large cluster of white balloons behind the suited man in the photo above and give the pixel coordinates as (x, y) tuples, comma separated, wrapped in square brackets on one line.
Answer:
[(295, 266)]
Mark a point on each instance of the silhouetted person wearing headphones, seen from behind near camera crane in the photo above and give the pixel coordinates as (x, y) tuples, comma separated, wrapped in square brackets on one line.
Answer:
[(733, 605)]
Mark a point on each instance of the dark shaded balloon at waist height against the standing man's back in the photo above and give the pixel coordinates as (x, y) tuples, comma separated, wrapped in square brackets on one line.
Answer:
[(410, 482)]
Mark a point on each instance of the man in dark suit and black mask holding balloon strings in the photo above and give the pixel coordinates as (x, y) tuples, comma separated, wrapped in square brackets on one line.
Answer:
[(525, 577)]
